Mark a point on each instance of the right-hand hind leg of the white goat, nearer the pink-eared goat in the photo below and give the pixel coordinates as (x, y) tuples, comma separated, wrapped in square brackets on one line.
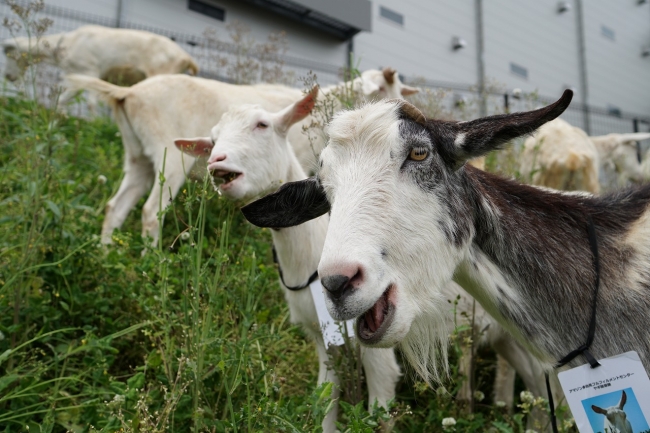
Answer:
[(160, 198)]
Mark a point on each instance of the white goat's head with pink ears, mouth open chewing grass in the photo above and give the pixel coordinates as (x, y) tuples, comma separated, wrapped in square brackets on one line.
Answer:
[(248, 148)]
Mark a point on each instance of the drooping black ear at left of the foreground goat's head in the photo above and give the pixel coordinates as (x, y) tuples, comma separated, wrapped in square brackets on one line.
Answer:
[(292, 204)]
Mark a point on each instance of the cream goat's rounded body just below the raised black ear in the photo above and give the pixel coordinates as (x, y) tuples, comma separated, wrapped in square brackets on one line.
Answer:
[(561, 156)]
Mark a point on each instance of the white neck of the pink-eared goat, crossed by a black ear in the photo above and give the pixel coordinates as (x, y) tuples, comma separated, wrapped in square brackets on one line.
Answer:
[(299, 248)]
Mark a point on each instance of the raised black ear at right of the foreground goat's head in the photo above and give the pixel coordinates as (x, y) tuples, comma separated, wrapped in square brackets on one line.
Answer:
[(480, 136)]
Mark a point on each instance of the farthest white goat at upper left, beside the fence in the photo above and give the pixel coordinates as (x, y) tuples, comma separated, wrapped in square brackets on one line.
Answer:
[(100, 52)]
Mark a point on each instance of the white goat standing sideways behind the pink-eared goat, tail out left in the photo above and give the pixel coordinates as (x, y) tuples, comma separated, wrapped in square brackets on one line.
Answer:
[(149, 124)]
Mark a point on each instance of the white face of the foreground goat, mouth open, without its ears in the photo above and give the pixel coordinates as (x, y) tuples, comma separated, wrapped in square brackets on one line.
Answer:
[(380, 234)]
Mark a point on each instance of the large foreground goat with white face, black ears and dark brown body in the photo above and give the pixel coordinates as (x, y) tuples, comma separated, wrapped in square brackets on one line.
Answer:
[(407, 215)]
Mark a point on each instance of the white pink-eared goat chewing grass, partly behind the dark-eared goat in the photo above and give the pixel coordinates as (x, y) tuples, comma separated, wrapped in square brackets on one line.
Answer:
[(250, 153)]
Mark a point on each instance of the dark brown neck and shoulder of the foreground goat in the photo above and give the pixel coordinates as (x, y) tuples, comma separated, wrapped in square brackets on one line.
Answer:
[(529, 264)]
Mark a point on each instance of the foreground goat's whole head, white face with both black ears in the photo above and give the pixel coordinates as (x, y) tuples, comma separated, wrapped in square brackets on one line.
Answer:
[(400, 220)]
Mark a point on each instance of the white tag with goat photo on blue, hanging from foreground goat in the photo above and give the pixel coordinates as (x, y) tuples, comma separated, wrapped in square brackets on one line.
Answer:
[(619, 384)]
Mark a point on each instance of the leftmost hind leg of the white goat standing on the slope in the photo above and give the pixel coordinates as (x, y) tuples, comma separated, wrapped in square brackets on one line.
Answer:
[(138, 176)]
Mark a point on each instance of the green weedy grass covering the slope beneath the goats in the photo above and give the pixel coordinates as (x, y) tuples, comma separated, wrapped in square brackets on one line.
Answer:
[(192, 336)]
